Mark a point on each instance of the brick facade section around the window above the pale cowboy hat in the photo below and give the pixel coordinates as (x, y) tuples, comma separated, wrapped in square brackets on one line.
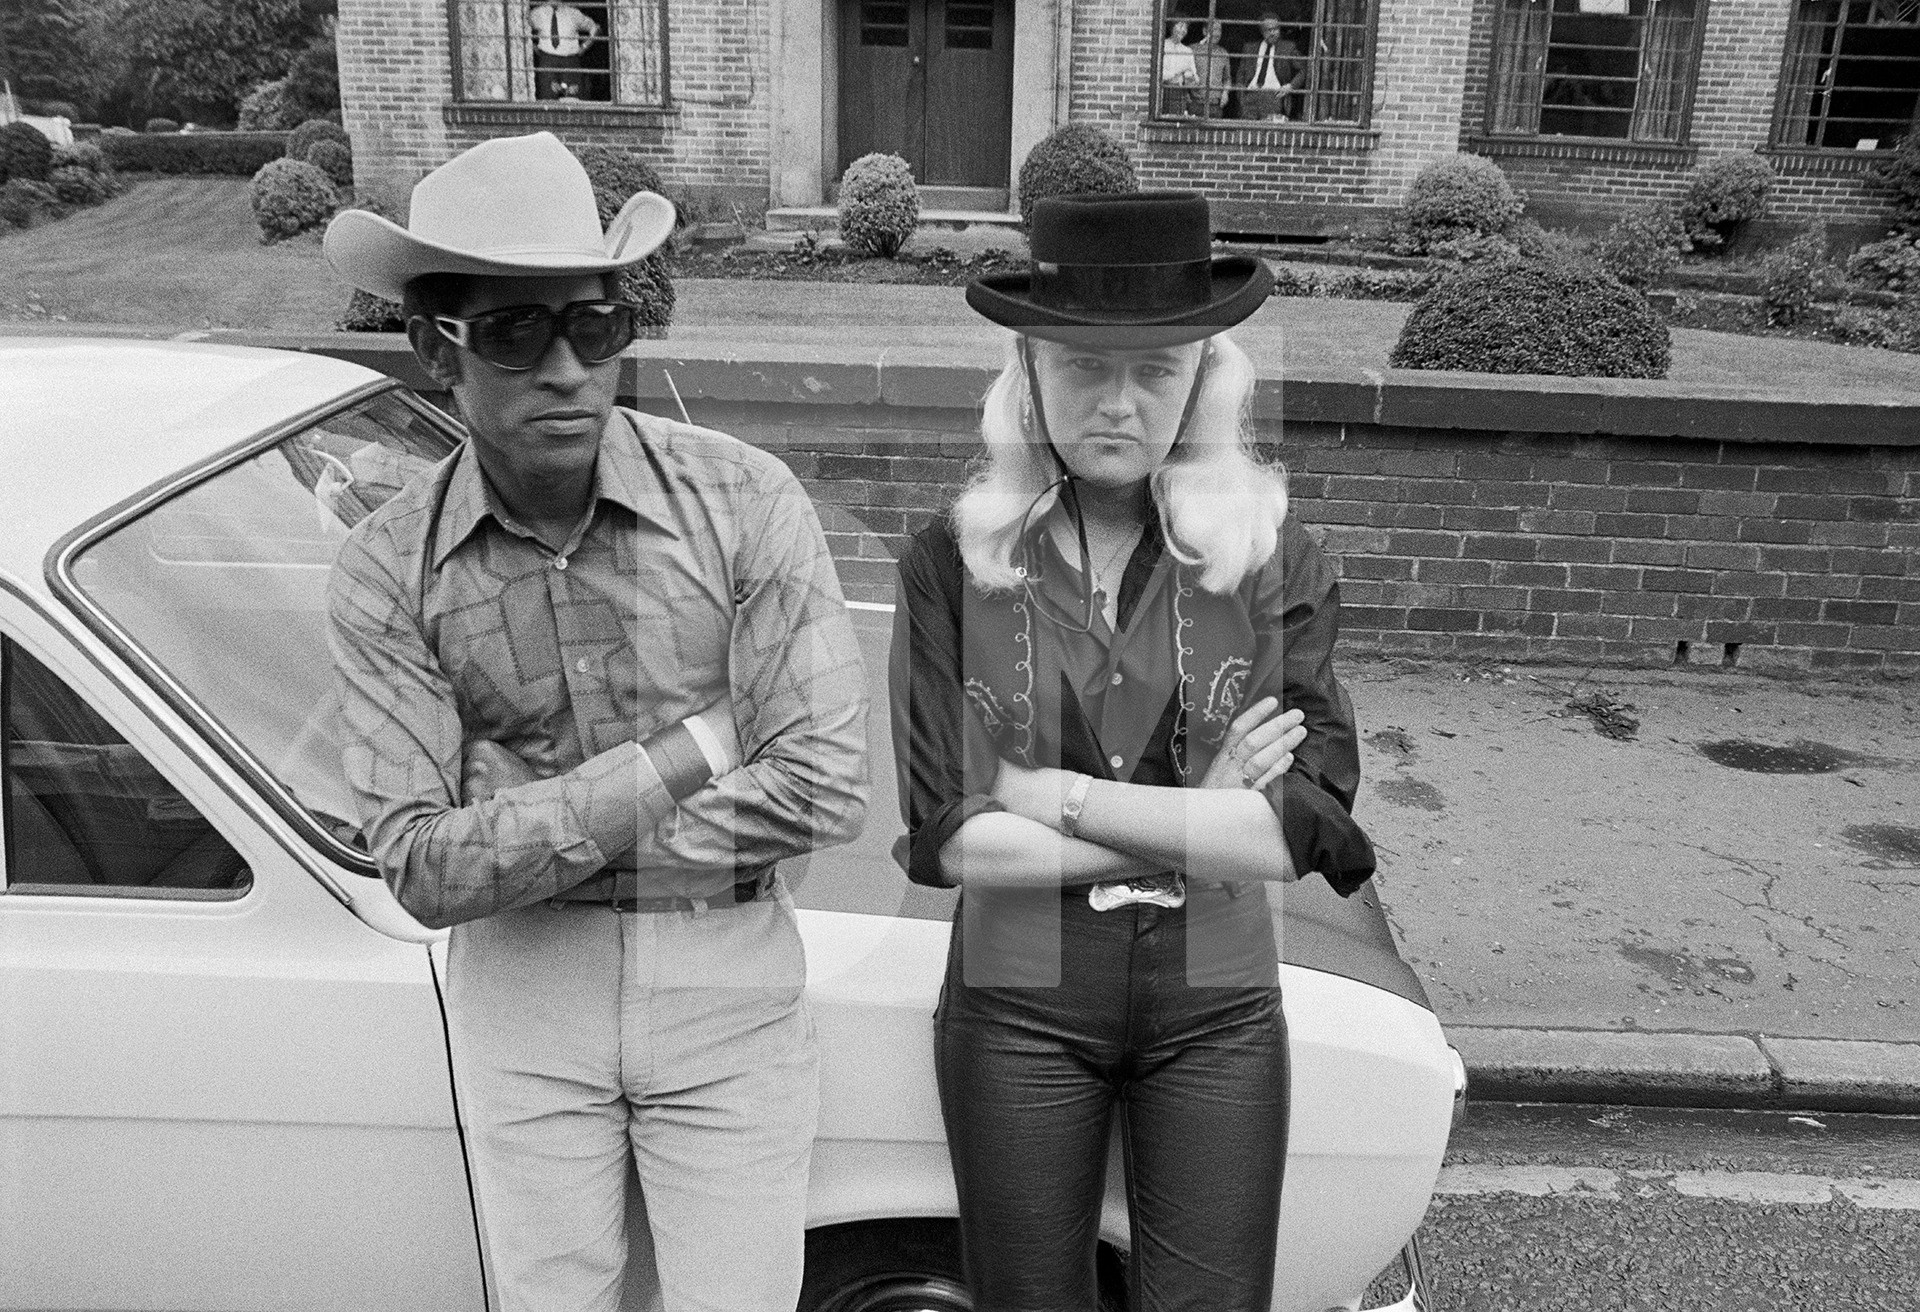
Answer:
[(713, 147)]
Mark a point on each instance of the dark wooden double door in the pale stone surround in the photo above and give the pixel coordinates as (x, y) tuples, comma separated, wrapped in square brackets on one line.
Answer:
[(934, 84)]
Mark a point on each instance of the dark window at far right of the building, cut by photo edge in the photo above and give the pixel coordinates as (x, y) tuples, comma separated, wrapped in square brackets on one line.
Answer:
[(1852, 78)]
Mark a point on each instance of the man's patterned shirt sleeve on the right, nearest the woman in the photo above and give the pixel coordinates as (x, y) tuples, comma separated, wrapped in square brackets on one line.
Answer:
[(800, 702)]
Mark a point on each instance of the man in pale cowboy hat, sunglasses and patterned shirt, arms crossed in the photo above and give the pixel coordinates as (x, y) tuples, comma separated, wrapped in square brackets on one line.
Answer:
[(598, 681)]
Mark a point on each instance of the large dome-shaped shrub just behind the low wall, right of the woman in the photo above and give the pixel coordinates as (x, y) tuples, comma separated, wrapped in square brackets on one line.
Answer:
[(1527, 316)]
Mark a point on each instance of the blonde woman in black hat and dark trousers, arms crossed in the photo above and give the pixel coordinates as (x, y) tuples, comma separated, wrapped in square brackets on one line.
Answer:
[(1120, 733)]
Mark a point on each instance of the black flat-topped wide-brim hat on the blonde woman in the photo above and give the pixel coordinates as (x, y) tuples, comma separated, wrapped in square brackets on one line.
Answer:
[(1124, 270)]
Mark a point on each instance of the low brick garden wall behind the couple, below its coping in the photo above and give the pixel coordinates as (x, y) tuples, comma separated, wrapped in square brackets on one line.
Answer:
[(1514, 547)]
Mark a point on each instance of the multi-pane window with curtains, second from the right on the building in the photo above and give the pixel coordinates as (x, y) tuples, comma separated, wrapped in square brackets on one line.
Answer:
[(1595, 68)]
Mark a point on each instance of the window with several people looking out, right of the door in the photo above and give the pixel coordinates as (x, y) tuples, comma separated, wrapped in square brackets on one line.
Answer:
[(1266, 61)]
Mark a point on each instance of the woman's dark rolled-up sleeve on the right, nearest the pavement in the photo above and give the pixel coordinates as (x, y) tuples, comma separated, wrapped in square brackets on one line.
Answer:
[(1297, 621)]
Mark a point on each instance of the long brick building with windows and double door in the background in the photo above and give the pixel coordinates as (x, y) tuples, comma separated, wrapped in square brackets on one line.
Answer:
[(1308, 122)]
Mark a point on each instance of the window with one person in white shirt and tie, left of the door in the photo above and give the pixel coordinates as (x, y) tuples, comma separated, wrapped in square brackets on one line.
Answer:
[(560, 51)]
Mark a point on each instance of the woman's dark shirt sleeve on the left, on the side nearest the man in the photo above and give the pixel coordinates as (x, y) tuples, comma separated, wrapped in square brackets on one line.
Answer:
[(942, 752)]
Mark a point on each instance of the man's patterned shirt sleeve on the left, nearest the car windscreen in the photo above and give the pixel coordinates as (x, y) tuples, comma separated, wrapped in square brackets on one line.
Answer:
[(404, 748)]
